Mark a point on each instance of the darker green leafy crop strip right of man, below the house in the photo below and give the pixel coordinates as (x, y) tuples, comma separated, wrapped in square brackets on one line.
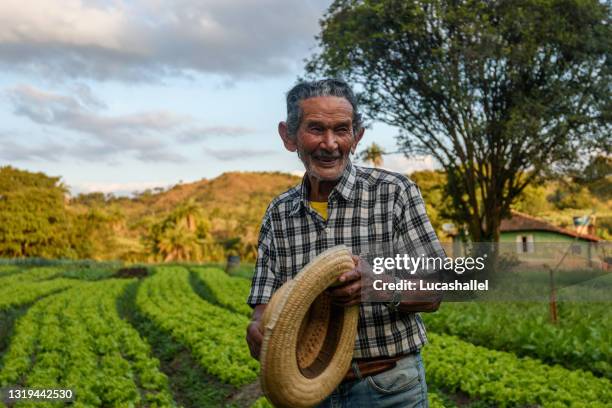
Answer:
[(582, 338)]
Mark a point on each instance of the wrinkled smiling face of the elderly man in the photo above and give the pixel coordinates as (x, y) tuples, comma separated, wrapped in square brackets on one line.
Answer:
[(325, 137)]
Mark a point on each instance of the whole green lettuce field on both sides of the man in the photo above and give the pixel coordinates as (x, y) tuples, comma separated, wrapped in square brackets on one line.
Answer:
[(168, 336)]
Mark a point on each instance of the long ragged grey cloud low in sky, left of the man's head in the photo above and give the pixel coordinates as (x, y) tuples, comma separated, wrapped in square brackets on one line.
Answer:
[(148, 136)]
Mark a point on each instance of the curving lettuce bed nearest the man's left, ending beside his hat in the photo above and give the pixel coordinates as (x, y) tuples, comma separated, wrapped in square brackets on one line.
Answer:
[(214, 335)]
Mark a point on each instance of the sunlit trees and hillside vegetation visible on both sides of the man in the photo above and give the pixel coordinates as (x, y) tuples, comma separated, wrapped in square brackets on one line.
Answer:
[(210, 219)]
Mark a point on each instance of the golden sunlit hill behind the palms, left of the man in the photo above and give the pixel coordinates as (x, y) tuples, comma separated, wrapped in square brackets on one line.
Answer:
[(229, 211)]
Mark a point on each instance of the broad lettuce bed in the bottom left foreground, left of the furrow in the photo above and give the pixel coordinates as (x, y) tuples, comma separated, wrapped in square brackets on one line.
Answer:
[(76, 339)]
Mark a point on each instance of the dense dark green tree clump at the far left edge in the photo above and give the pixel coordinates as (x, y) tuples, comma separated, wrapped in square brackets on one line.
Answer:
[(33, 218)]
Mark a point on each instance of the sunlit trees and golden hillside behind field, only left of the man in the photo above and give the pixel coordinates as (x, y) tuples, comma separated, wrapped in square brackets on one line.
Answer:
[(205, 220)]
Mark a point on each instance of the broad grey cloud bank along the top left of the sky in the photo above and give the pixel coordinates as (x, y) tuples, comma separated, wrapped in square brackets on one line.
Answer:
[(142, 40)]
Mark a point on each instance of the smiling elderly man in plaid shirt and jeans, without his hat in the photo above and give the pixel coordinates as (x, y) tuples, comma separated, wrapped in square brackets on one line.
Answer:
[(340, 203)]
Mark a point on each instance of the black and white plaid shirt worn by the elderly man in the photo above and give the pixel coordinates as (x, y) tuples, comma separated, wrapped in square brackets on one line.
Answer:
[(366, 206)]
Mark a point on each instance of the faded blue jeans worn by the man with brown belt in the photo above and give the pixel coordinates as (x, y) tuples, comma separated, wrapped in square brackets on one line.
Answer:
[(403, 386)]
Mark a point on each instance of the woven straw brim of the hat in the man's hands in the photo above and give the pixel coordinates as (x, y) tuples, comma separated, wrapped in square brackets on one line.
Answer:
[(283, 382)]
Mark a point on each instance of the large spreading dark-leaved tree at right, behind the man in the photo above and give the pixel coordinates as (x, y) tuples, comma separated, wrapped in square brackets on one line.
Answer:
[(497, 92)]
